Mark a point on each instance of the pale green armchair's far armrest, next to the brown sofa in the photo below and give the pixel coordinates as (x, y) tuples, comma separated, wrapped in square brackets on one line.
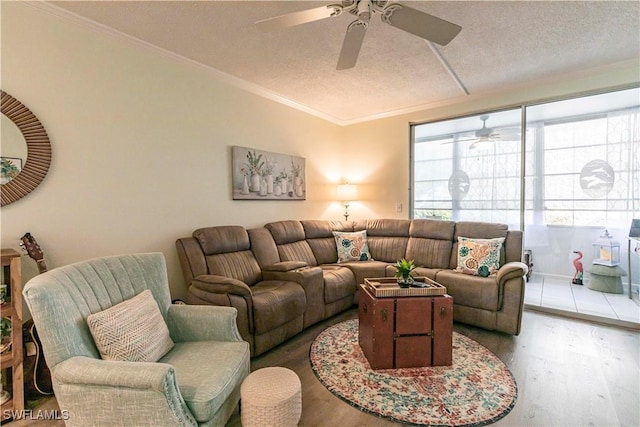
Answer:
[(202, 323)]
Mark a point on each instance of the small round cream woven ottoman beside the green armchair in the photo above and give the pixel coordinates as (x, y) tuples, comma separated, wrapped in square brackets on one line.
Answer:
[(271, 397)]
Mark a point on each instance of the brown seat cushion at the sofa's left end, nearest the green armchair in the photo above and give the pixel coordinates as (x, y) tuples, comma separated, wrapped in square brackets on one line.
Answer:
[(276, 302)]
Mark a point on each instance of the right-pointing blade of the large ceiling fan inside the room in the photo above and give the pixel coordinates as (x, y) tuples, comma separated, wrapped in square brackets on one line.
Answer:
[(420, 24)]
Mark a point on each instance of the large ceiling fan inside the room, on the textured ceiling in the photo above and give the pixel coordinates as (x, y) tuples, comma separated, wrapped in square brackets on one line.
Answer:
[(411, 20)]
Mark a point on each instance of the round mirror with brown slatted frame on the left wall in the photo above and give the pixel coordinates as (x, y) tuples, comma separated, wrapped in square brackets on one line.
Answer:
[(21, 176)]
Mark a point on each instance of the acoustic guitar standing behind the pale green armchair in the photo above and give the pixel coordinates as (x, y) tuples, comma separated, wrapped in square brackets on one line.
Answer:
[(37, 377)]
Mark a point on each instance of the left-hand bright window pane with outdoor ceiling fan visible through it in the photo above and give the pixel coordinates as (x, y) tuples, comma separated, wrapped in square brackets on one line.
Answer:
[(469, 168)]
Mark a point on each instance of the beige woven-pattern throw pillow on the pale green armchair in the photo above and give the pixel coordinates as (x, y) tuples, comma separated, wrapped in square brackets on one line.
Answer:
[(133, 330)]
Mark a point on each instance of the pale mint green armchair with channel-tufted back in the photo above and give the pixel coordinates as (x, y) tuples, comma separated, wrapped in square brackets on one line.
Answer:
[(197, 383)]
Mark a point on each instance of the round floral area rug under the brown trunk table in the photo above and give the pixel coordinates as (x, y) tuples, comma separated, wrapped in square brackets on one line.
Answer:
[(476, 390)]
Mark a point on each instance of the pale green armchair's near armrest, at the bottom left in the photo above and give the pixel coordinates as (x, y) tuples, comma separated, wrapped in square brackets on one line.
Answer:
[(127, 386)]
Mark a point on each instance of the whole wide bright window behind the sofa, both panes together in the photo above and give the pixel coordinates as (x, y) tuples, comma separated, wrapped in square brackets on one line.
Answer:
[(581, 164)]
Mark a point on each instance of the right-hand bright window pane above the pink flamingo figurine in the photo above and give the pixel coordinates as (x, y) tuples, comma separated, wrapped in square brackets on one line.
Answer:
[(584, 170)]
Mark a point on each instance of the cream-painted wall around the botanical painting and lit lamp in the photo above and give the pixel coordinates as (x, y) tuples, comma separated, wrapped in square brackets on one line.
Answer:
[(141, 143)]
